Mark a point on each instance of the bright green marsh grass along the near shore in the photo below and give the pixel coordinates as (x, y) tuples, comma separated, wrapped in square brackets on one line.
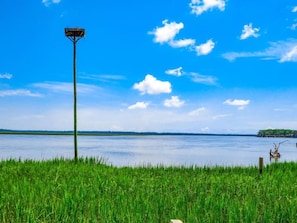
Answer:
[(62, 190)]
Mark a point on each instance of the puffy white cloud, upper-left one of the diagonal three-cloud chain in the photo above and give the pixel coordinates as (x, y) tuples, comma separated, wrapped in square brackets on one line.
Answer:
[(167, 32)]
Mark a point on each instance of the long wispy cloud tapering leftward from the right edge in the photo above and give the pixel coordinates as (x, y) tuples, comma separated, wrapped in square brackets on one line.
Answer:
[(283, 51)]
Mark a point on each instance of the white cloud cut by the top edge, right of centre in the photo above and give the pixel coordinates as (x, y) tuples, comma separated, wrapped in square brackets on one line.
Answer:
[(200, 6)]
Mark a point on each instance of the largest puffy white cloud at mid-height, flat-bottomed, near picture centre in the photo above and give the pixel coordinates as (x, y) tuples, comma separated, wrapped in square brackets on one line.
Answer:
[(150, 85)]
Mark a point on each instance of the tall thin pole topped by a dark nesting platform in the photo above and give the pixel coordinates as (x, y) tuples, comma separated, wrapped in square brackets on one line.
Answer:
[(74, 34)]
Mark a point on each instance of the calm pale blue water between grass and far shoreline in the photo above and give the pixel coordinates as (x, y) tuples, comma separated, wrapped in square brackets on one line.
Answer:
[(153, 150)]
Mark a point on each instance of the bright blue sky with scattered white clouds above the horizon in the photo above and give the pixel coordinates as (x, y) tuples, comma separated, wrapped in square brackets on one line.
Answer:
[(205, 66)]
